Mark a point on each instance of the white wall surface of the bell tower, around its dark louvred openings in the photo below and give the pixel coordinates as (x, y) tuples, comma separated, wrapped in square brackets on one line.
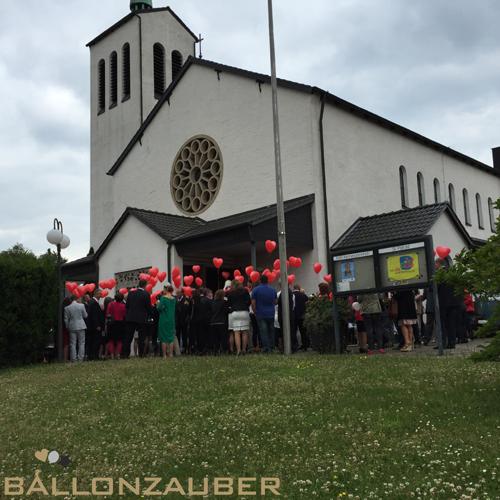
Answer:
[(112, 130)]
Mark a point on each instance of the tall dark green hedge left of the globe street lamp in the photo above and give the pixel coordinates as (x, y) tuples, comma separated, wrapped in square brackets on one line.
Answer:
[(28, 310)]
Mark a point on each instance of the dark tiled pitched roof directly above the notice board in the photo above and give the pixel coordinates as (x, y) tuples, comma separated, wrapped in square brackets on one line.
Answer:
[(400, 225)]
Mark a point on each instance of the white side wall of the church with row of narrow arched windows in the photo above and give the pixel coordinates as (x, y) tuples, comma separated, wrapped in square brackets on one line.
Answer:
[(363, 161)]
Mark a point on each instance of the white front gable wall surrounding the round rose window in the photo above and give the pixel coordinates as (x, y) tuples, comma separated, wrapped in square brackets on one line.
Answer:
[(238, 117)]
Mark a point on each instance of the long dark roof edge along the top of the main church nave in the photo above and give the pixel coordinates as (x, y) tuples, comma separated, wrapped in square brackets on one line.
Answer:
[(322, 94)]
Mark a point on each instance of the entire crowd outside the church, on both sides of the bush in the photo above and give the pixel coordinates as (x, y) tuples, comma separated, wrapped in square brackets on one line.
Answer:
[(239, 319)]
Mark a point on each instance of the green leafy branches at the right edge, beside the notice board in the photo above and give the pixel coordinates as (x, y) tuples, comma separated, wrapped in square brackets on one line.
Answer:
[(478, 271)]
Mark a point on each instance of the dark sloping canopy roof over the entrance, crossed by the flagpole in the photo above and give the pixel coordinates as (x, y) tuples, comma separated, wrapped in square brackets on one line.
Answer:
[(249, 218)]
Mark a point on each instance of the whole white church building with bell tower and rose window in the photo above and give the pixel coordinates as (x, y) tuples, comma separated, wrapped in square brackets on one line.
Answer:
[(182, 163)]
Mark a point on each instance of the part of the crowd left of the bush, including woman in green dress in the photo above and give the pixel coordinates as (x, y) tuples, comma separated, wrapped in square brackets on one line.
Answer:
[(235, 319)]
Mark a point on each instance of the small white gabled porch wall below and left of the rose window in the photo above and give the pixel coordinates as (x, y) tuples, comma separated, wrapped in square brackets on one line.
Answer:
[(134, 246)]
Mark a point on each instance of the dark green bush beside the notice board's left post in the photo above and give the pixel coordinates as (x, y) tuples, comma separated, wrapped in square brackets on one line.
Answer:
[(318, 322)]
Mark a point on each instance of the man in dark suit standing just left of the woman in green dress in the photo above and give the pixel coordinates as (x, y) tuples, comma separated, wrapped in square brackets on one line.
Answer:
[(138, 309)]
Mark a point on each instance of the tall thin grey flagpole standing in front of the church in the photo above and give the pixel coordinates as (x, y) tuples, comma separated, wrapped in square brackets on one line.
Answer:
[(279, 192)]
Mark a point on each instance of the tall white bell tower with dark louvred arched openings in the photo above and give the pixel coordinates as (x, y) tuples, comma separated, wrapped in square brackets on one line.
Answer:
[(132, 64)]
